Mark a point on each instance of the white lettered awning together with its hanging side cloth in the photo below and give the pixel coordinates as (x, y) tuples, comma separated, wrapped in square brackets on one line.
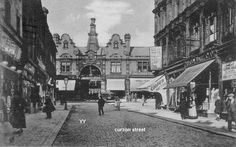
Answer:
[(156, 85)]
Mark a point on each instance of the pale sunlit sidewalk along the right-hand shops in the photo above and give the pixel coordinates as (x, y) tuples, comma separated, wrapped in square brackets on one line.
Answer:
[(209, 124)]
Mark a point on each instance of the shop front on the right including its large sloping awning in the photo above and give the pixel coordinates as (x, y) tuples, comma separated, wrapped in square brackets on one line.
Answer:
[(206, 90)]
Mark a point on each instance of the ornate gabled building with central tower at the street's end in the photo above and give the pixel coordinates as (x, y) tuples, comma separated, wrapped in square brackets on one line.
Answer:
[(116, 67)]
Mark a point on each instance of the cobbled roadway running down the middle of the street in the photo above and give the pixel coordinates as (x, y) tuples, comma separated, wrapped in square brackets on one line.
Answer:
[(117, 128)]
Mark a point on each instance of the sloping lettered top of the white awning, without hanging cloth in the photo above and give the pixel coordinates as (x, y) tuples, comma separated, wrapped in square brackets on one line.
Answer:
[(153, 84)]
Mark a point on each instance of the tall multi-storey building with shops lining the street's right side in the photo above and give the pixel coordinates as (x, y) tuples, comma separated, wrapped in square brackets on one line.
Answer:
[(198, 43)]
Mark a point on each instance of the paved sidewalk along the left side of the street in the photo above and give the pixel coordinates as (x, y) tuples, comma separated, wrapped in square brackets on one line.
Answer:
[(40, 131)]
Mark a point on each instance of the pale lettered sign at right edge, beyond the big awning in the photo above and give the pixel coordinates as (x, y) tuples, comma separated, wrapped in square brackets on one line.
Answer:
[(229, 71)]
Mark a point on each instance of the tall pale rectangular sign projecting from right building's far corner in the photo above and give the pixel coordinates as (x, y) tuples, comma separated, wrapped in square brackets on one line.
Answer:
[(155, 57)]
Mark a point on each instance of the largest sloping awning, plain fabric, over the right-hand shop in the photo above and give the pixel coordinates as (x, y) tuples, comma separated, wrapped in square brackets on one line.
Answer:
[(189, 74)]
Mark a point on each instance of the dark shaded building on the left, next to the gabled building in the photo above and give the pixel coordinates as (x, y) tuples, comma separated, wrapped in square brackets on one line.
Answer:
[(39, 53)]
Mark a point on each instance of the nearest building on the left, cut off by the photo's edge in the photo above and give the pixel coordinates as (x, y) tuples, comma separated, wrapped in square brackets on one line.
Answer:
[(11, 46)]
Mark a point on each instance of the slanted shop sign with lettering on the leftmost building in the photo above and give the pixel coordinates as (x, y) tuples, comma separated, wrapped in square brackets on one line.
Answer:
[(8, 46)]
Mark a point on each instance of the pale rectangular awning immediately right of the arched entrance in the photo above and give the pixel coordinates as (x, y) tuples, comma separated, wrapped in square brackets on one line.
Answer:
[(115, 84)]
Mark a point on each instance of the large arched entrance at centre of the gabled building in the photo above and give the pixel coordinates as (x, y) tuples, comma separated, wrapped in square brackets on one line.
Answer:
[(90, 82)]
